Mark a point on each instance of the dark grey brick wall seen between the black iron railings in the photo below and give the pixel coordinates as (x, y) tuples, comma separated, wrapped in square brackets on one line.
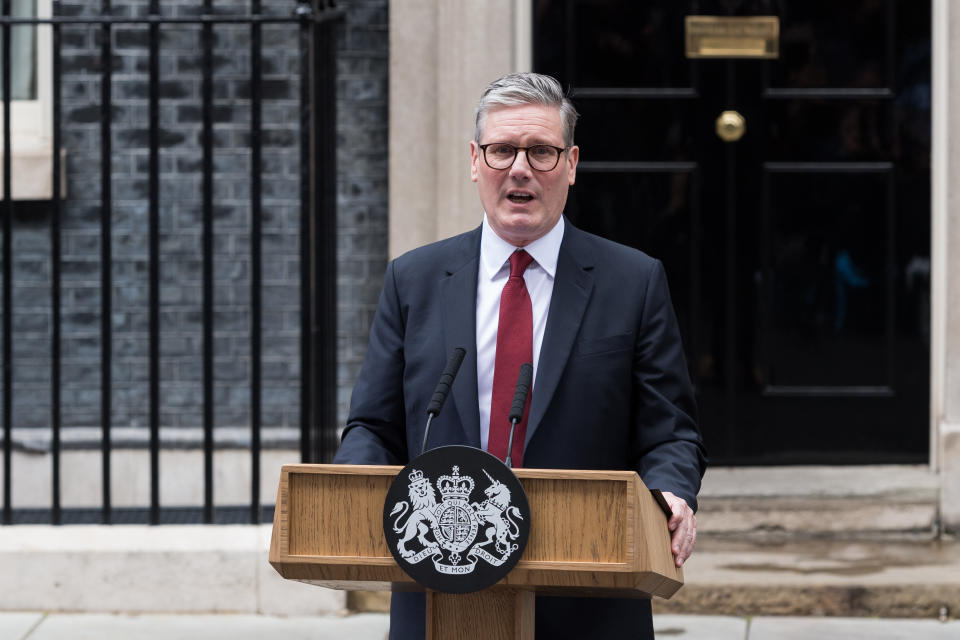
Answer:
[(362, 217)]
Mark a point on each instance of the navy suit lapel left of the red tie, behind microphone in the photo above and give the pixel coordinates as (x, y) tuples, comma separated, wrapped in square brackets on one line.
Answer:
[(458, 299)]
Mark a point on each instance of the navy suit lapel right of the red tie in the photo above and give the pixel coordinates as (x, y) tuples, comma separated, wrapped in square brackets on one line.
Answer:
[(571, 292)]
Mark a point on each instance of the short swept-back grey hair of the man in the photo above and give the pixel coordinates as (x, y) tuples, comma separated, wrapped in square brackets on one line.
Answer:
[(516, 89)]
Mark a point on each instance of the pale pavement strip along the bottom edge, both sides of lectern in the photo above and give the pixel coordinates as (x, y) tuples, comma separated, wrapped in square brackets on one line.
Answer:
[(373, 626)]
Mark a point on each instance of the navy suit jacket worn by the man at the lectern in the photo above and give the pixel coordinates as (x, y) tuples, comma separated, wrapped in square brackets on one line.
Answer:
[(612, 389)]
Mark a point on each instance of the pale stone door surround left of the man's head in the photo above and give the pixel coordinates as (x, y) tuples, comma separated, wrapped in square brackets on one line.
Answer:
[(442, 55)]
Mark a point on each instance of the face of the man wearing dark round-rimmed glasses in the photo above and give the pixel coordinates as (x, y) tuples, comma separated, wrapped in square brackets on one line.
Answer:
[(523, 204)]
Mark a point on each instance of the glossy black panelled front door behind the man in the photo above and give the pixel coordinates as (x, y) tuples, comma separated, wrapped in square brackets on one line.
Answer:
[(798, 255)]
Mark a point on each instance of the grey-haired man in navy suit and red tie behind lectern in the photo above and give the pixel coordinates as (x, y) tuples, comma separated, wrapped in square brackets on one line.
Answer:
[(610, 390)]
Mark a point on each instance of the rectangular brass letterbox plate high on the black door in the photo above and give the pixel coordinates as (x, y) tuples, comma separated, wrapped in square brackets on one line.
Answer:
[(733, 37)]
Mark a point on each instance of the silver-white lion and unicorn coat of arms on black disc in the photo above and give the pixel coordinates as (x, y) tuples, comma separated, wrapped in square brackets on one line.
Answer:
[(455, 533)]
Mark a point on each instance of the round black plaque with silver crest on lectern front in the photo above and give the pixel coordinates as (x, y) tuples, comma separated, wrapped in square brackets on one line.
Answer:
[(456, 519)]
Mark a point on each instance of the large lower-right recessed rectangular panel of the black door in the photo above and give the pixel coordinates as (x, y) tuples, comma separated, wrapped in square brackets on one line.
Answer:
[(826, 297)]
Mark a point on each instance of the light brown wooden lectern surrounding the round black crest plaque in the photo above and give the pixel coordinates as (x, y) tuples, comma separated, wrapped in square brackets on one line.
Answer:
[(593, 533)]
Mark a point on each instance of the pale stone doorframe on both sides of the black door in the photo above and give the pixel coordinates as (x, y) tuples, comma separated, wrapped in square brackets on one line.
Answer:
[(443, 53)]
